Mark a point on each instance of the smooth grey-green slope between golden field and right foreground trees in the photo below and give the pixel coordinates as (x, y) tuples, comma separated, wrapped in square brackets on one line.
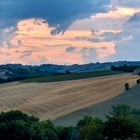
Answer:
[(131, 97)]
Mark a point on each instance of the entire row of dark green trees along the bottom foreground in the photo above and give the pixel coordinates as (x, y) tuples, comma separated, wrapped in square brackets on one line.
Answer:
[(123, 123)]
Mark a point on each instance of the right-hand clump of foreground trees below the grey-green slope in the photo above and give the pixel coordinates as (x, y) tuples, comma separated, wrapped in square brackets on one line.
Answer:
[(121, 124)]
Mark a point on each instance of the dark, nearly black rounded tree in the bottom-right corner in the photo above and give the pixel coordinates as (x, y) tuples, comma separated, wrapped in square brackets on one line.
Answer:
[(121, 127)]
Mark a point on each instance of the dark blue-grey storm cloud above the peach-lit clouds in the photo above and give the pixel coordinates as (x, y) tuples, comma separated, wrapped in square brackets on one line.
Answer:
[(58, 13)]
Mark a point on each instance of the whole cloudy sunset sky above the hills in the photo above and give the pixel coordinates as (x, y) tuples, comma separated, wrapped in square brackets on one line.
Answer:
[(35, 32)]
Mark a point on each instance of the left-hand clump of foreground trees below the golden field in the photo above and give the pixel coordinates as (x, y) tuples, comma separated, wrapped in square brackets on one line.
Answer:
[(15, 125)]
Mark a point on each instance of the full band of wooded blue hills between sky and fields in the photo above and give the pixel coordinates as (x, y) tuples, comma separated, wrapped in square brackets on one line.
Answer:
[(18, 71)]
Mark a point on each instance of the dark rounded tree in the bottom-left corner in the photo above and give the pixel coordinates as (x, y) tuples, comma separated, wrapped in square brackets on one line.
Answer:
[(15, 125)]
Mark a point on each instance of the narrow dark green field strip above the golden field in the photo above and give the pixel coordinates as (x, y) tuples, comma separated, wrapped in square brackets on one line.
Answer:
[(73, 76)]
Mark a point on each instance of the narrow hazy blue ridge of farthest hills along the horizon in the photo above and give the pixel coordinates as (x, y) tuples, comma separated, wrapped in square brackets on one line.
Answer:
[(63, 68)]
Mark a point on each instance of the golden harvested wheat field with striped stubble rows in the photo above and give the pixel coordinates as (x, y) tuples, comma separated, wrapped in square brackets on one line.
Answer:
[(53, 100)]
